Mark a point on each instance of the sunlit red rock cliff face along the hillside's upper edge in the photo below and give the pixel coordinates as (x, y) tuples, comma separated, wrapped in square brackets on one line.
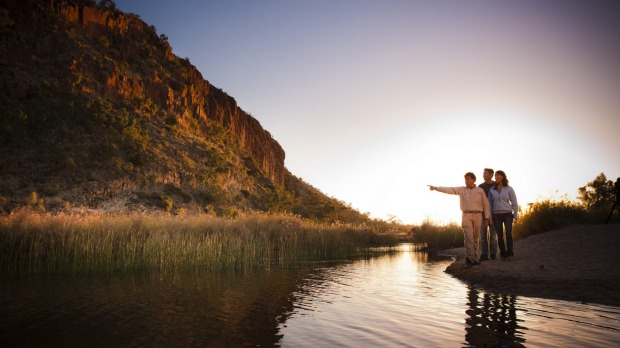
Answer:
[(180, 91)]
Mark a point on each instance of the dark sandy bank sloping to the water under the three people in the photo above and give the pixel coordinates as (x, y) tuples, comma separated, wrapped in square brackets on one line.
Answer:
[(576, 263)]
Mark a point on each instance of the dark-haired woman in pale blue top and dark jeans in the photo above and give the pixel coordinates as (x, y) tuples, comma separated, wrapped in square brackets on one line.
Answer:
[(505, 211)]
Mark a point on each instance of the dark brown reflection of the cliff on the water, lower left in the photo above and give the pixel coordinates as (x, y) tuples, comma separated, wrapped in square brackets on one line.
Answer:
[(217, 309)]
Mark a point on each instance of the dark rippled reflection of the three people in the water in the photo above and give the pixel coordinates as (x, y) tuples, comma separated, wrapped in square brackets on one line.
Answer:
[(492, 321)]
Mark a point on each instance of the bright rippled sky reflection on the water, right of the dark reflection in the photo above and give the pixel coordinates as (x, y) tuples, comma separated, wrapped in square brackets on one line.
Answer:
[(407, 300)]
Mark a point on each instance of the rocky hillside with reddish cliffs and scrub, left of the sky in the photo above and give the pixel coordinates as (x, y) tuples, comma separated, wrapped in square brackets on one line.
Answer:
[(98, 112)]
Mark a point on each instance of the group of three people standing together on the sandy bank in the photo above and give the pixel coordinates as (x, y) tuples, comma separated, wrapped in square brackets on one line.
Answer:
[(489, 210)]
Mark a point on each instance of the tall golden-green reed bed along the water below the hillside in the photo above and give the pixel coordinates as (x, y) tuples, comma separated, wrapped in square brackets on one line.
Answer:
[(34, 243)]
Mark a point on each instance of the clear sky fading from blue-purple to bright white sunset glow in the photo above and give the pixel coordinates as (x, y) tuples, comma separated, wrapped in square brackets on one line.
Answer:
[(374, 100)]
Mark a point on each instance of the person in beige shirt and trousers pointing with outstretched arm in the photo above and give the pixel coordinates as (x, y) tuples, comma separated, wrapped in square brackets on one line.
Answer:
[(474, 203)]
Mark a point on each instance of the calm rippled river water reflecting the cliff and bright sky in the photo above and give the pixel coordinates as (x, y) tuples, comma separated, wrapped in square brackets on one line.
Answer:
[(402, 299)]
